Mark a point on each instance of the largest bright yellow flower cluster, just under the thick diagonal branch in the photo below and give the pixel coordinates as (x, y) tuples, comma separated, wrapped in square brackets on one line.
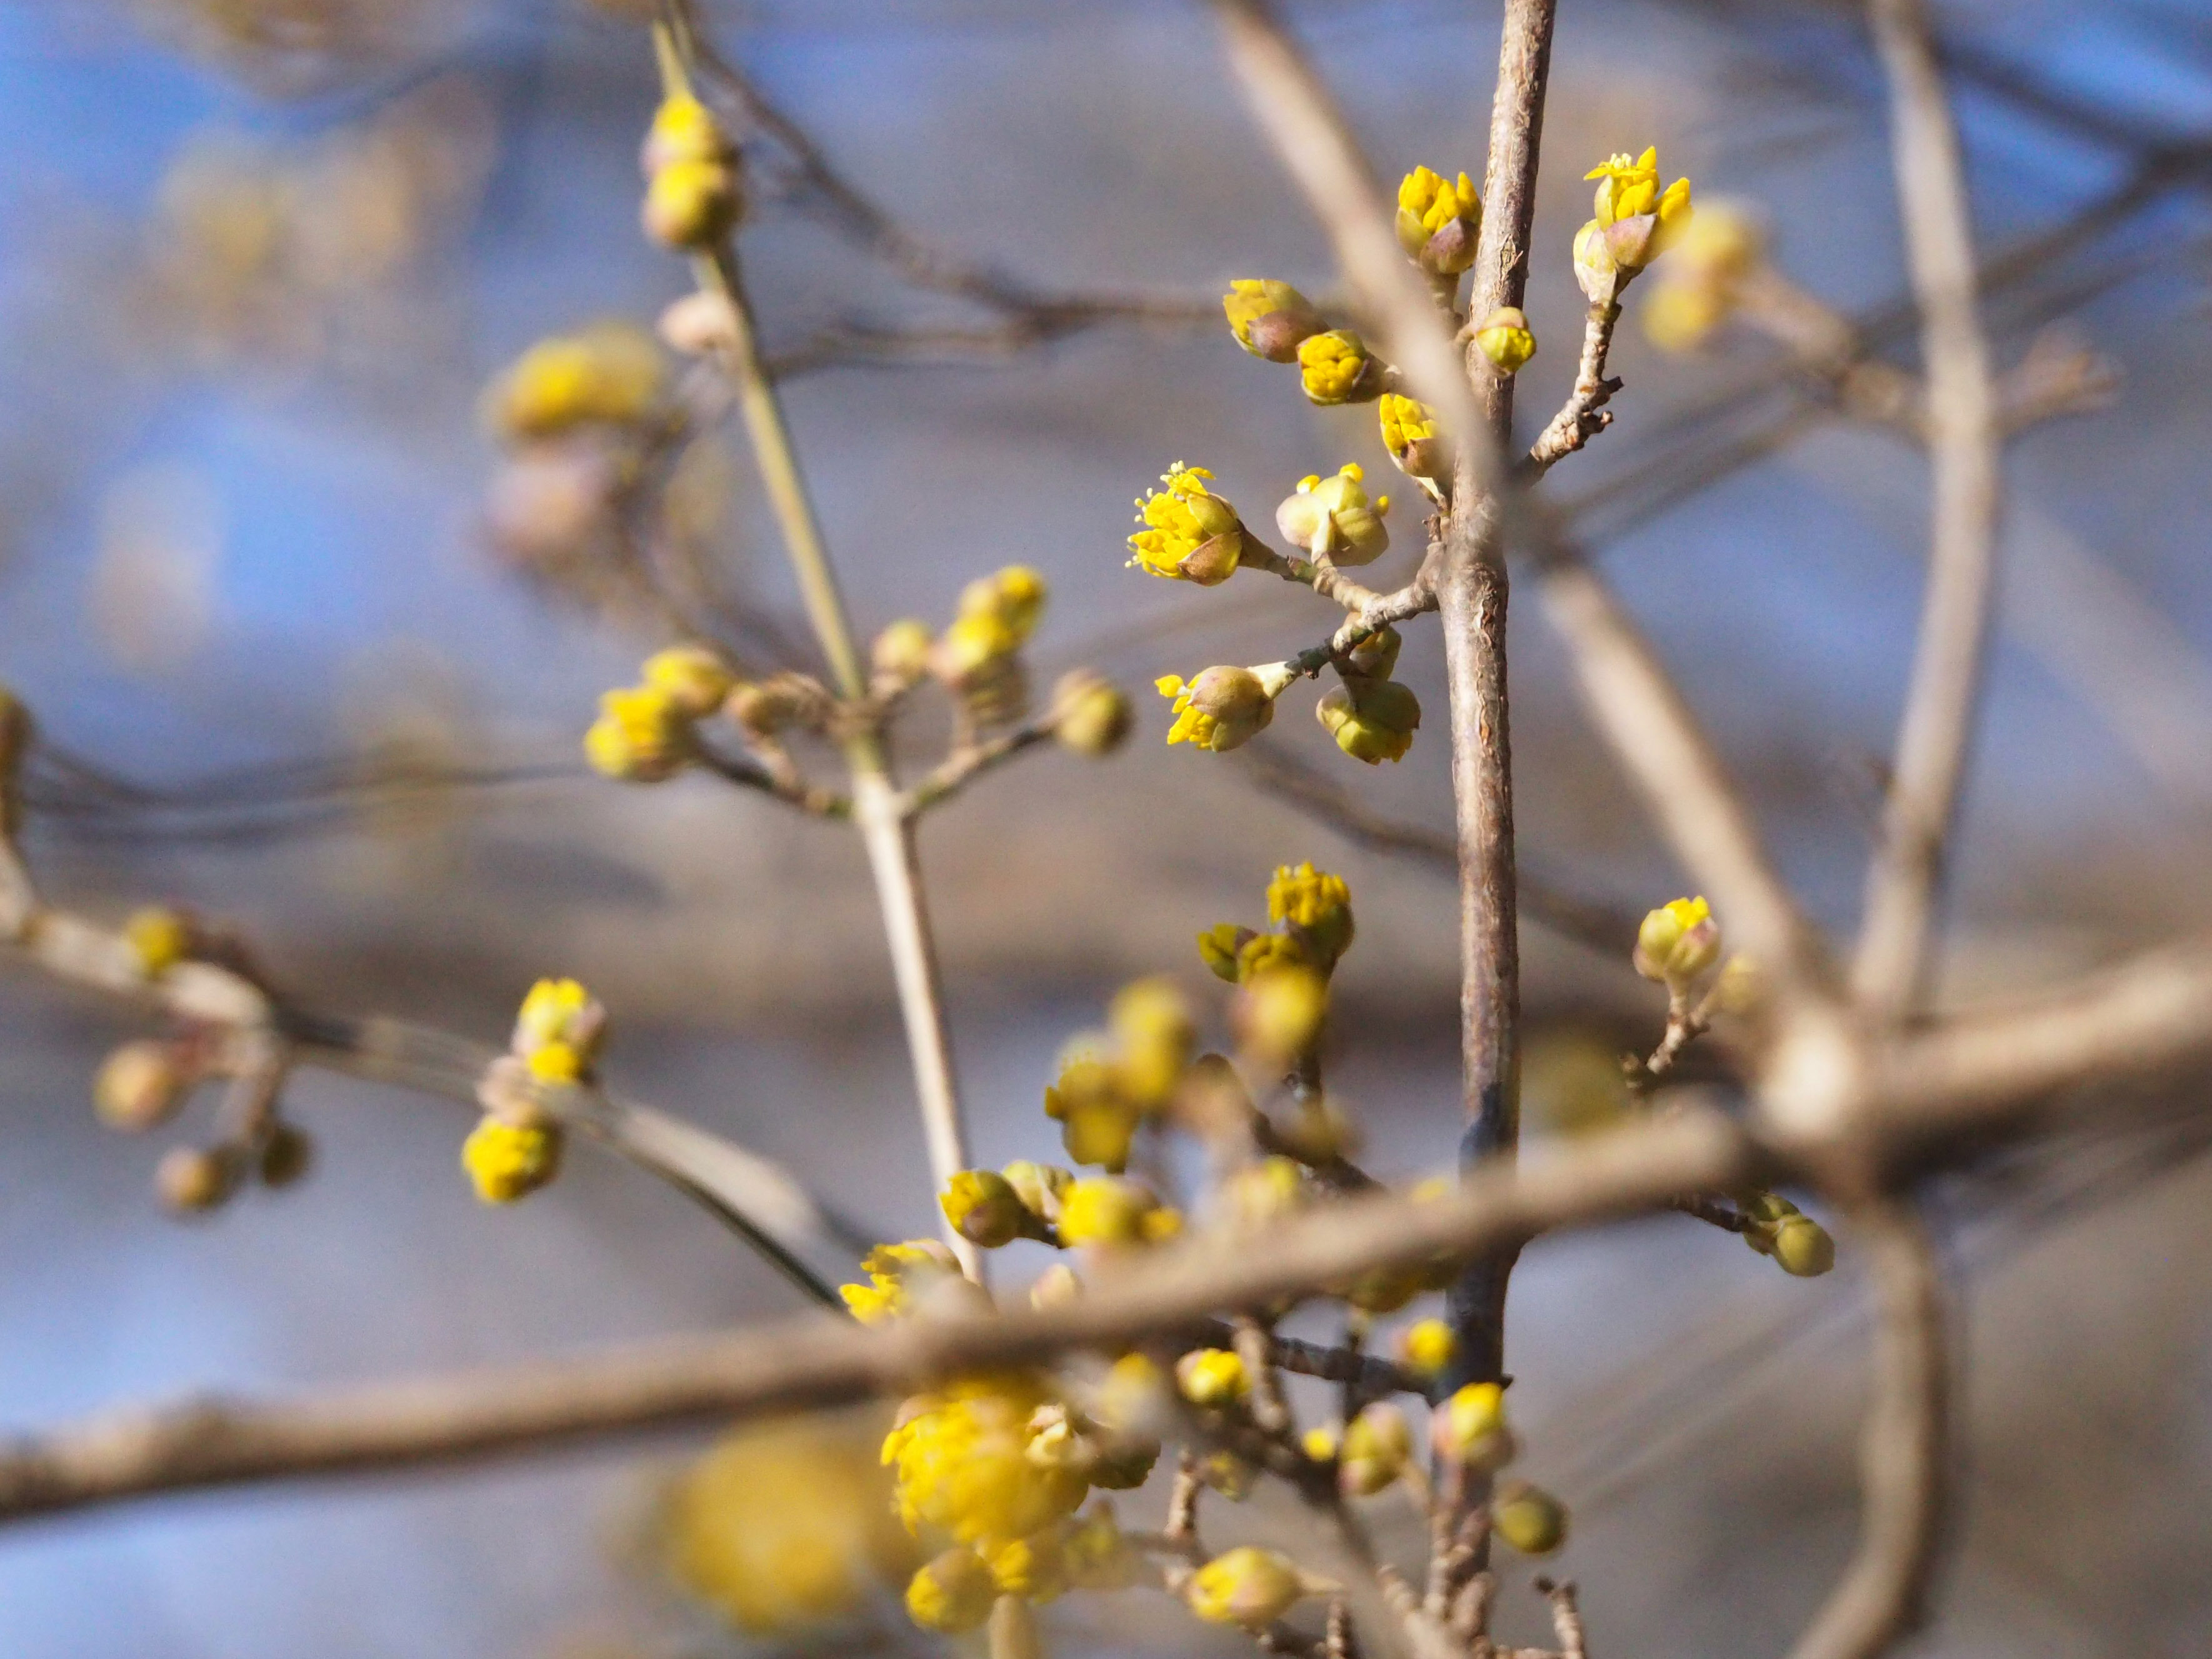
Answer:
[(963, 1463)]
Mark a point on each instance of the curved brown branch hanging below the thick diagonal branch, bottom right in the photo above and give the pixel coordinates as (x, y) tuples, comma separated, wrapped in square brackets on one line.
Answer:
[(1903, 1446)]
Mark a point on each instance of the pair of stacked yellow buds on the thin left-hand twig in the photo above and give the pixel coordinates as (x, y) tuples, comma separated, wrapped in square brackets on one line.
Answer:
[(517, 1147)]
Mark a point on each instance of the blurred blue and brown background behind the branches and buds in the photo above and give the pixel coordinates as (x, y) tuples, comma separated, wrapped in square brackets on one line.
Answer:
[(313, 651)]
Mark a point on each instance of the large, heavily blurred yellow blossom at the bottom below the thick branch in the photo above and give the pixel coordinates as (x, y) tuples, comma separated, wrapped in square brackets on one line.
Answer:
[(782, 1527)]
